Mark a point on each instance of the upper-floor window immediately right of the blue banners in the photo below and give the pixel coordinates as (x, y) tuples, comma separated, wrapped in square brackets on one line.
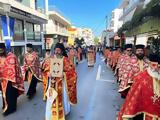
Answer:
[(18, 30)]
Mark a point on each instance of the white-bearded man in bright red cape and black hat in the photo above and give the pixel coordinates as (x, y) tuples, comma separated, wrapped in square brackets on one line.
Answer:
[(143, 99)]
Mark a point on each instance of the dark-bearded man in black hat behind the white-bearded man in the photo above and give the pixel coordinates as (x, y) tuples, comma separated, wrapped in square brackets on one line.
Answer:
[(137, 64)]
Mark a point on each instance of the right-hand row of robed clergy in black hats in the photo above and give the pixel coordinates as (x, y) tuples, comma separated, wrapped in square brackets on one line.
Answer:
[(138, 77)]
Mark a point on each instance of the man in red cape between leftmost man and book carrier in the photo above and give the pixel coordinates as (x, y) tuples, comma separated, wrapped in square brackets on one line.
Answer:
[(31, 70)]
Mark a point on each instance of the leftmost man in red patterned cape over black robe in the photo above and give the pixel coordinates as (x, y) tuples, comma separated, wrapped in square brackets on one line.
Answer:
[(11, 81)]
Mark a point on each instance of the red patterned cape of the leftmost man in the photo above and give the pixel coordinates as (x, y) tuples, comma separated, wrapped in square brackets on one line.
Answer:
[(10, 71)]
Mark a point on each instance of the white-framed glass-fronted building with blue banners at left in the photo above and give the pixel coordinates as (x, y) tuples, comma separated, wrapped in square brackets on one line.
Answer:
[(21, 23)]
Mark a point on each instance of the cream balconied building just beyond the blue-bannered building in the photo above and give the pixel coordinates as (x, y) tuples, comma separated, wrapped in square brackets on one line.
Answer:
[(56, 29)]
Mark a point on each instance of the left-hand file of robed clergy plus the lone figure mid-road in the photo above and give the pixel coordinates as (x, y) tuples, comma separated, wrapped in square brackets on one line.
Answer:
[(57, 73)]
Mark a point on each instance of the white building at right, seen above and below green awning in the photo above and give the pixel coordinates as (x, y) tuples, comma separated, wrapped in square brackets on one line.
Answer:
[(130, 7)]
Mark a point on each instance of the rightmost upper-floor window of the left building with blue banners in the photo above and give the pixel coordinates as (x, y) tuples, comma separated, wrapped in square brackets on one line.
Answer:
[(30, 31)]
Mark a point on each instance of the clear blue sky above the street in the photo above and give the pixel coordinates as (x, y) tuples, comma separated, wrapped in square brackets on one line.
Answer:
[(86, 13)]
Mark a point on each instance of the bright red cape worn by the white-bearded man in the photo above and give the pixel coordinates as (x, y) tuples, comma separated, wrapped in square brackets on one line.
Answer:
[(141, 99)]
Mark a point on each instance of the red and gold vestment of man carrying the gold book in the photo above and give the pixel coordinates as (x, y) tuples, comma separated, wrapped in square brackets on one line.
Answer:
[(70, 78)]
